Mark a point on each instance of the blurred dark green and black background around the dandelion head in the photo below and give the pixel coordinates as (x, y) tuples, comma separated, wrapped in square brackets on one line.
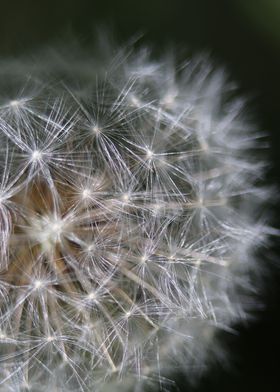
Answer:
[(244, 36)]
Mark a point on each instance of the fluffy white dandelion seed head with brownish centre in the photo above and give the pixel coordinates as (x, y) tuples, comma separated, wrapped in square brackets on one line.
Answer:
[(129, 220)]
